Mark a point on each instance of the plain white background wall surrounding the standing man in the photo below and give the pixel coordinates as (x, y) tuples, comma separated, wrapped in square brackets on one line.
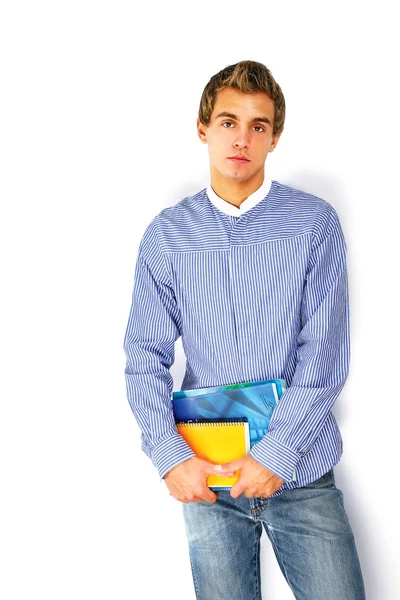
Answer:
[(98, 108)]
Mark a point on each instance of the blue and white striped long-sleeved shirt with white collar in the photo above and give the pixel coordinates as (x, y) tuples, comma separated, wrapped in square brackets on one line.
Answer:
[(257, 294)]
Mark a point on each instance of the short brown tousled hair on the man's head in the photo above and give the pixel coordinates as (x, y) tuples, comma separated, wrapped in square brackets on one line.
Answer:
[(247, 76)]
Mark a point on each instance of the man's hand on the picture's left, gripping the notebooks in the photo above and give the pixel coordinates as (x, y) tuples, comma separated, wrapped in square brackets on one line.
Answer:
[(187, 482)]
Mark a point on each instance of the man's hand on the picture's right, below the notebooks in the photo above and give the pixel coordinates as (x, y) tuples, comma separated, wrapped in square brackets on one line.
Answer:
[(254, 480)]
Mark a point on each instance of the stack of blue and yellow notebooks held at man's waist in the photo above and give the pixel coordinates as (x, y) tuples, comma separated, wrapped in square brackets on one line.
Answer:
[(222, 424)]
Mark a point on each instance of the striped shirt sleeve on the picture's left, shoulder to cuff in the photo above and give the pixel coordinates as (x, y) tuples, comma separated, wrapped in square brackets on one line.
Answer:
[(154, 325)]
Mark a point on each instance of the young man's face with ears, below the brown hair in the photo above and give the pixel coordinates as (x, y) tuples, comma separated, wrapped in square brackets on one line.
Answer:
[(240, 124)]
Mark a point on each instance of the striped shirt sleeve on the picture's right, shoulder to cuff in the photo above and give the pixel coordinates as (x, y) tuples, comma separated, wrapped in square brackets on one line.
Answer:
[(322, 356)]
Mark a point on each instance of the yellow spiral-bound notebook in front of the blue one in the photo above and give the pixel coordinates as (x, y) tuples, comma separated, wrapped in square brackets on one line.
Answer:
[(218, 442)]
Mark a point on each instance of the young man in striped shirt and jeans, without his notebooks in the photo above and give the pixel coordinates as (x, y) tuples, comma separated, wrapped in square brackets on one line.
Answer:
[(252, 274)]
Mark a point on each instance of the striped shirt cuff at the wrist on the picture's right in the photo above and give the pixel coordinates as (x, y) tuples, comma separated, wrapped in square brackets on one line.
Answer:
[(275, 457)]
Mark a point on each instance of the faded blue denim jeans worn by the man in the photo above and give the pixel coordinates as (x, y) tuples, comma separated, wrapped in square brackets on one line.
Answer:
[(309, 531)]
